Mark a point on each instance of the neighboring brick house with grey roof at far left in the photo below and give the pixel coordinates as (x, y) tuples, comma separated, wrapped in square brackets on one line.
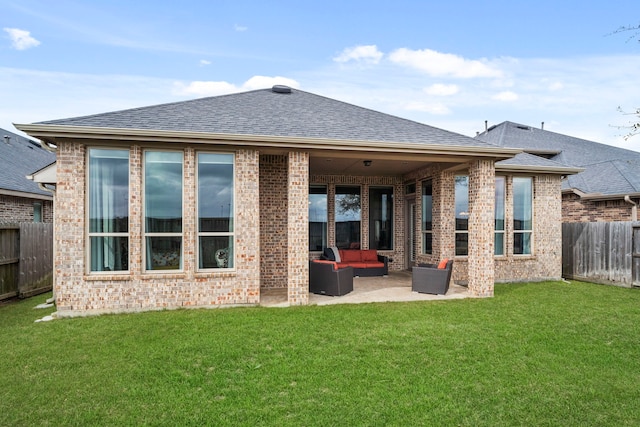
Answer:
[(22, 200)]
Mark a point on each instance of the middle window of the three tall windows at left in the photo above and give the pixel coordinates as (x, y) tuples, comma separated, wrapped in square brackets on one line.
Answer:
[(163, 191)]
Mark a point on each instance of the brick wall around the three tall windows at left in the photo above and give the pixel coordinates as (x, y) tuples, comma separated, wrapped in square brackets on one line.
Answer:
[(80, 293)]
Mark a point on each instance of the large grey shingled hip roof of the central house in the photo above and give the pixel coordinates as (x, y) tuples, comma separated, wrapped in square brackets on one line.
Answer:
[(279, 112)]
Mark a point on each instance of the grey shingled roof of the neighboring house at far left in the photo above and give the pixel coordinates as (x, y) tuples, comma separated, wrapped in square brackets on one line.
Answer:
[(19, 157)]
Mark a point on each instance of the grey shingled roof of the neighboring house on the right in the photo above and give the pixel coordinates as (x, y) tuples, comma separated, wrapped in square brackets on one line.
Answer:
[(608, 172)]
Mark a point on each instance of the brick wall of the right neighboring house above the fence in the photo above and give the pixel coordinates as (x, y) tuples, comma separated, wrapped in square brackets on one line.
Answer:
[(576, 209)]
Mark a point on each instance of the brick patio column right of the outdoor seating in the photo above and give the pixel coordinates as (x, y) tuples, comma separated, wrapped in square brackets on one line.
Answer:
[(481, 227)]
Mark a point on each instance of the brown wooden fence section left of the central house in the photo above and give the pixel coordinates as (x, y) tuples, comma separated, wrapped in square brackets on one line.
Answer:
[(26, 259)]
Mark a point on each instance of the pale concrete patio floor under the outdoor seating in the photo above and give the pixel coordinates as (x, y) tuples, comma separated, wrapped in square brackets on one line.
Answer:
[(396, 287)]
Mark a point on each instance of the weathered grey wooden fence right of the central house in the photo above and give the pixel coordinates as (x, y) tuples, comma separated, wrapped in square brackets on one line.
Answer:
[(602, 252)]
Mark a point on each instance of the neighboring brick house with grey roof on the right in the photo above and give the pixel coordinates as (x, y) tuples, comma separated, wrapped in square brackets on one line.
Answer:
[(606, 189)]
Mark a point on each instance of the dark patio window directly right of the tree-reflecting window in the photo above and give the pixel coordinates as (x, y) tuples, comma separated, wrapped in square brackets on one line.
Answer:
[(381, 218)]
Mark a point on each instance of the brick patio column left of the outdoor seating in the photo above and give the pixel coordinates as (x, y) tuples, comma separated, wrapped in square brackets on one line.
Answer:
[(298, 229)]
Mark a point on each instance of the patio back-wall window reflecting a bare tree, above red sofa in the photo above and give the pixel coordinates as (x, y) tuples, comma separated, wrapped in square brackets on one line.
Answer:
[(348, 216)]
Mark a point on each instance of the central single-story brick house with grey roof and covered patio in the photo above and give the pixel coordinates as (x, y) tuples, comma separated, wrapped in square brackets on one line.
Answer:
[(206, 202)]
